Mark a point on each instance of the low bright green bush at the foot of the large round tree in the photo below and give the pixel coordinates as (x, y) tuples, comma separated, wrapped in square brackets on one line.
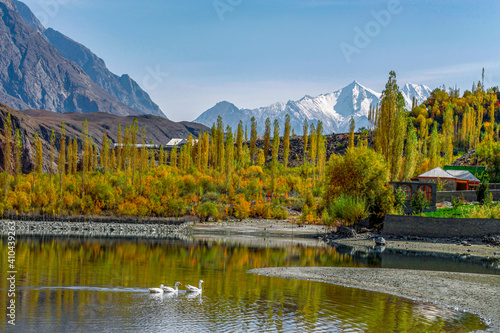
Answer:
[(347, 209)]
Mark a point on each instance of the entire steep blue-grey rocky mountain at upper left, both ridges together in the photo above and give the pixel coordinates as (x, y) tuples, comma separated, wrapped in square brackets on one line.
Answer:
[(43, 69)]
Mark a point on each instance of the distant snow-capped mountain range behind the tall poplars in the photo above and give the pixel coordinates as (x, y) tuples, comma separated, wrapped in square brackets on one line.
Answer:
[(334, 110)]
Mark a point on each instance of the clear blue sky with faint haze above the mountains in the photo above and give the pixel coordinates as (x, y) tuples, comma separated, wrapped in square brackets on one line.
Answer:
[(190, 54)]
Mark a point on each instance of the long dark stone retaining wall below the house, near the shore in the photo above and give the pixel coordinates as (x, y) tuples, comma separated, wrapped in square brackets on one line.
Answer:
[(399, 225)]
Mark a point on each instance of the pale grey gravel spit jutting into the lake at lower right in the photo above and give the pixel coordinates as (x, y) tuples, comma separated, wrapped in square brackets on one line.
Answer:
[(476, 293)]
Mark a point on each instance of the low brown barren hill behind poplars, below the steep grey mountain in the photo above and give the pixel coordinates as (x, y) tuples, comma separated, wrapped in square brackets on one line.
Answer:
[(159, 130)]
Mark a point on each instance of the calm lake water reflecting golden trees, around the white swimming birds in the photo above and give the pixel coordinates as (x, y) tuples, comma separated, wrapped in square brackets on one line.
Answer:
[(98, 285)]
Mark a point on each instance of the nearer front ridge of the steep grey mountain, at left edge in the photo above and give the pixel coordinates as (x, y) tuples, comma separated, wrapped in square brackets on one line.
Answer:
[(33, 74)]
